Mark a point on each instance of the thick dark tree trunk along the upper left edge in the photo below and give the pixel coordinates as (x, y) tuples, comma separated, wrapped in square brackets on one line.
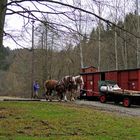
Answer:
[(2, 19)]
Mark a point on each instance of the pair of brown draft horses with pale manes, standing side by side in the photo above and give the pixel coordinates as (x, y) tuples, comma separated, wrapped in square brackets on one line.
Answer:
[(67, 86)]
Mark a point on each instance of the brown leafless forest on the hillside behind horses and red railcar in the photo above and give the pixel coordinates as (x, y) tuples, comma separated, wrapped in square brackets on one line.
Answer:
[(51, 62)]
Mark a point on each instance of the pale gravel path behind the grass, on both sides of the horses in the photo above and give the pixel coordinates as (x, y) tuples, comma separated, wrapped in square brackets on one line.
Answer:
[(132, 111)]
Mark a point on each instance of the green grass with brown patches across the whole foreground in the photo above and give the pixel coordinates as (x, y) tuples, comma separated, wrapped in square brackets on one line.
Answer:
[(64, 121)]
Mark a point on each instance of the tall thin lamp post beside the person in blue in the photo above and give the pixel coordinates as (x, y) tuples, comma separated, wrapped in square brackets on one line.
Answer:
[(32, 73)]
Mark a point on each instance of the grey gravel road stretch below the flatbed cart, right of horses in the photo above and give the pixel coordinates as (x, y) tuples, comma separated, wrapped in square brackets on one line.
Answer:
[(132, 111)]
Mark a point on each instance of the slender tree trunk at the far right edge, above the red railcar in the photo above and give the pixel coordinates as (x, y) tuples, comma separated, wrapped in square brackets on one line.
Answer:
[(138, 30)]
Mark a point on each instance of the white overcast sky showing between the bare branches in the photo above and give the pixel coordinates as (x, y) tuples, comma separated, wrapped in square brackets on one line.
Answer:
[(14, 24)]
